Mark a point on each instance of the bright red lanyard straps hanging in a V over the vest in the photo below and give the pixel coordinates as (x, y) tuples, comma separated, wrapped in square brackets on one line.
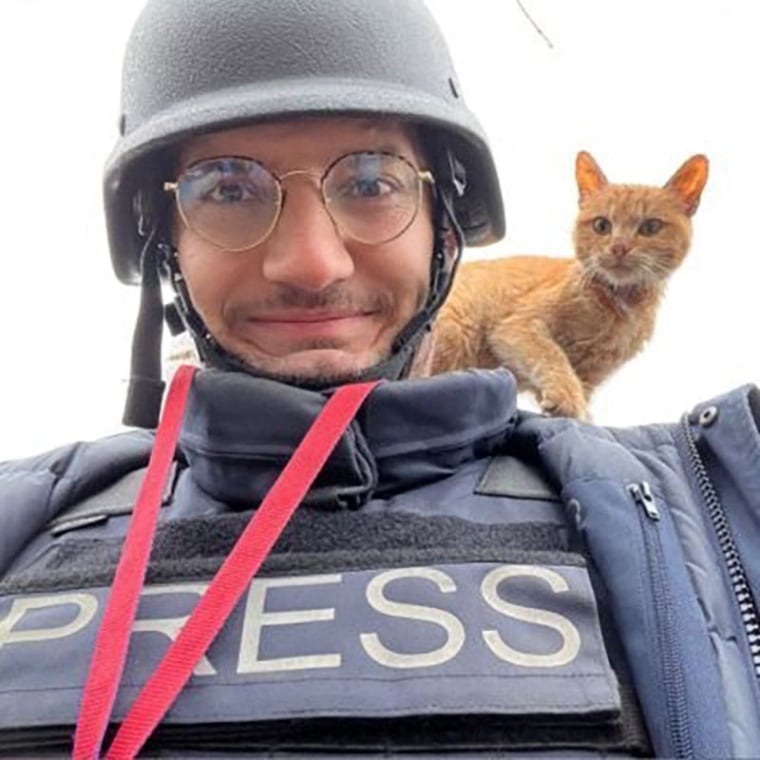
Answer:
[(228, 585)]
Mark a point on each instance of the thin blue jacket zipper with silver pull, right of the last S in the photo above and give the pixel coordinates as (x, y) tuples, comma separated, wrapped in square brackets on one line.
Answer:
[(668, 637)]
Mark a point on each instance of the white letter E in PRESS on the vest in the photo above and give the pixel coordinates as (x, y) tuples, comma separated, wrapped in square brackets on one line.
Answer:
[(255, 619)]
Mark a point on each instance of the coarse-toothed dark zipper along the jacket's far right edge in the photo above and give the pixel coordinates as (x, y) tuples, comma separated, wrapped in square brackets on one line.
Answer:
[(741, 588)]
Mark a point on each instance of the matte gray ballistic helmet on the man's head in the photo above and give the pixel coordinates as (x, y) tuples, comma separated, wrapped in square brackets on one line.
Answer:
[(202, 65)]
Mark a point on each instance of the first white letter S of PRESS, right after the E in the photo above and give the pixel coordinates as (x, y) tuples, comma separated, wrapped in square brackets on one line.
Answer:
[(450, 623)]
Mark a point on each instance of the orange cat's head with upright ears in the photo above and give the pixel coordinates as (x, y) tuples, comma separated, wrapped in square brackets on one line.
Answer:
[(635, 235)]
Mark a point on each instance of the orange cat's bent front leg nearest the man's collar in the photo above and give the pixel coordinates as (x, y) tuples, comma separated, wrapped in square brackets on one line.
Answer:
[(528, 349)]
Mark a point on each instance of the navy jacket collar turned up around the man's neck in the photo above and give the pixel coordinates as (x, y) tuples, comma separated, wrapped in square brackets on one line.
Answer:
[(239, 432)]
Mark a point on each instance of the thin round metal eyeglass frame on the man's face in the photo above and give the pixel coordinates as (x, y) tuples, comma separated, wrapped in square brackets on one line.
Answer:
[(423, 177)]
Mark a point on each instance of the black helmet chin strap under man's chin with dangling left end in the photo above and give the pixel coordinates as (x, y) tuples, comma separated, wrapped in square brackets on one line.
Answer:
[(145, 392)]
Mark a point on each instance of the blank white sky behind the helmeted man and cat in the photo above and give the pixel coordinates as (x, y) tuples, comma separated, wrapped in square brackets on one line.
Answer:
[(642, 84)]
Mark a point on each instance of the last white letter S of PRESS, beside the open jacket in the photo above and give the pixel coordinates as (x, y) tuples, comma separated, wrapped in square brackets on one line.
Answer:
[(571, 638)]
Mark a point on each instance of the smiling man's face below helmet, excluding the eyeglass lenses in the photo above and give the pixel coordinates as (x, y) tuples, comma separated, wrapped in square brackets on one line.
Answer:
[(308, 302)]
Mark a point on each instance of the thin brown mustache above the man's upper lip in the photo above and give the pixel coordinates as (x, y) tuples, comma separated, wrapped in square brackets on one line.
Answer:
[(335, 297)]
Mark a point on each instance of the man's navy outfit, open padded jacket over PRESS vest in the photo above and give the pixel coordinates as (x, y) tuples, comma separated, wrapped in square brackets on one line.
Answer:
[(461, 577)]
